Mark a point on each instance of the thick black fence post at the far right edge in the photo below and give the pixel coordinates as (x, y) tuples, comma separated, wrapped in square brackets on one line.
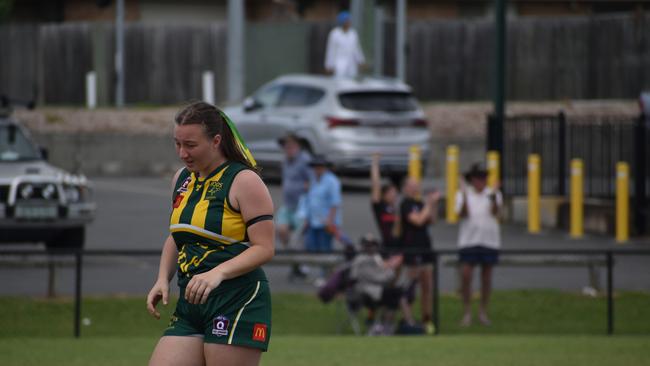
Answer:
[(640, 175)]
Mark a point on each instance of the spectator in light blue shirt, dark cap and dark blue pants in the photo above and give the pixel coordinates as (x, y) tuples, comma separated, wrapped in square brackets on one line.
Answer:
[(322, 207)]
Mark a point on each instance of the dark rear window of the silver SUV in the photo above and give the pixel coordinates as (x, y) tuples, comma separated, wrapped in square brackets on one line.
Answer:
[(378, 101)]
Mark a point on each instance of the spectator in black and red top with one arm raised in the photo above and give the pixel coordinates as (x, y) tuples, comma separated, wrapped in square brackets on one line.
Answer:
[(384, 206)]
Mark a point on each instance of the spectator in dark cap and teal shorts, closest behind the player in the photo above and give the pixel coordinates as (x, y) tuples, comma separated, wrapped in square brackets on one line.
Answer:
[(295, 180)]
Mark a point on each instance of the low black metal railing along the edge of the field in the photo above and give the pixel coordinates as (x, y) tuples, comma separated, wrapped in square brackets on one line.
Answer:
[(607, 254)]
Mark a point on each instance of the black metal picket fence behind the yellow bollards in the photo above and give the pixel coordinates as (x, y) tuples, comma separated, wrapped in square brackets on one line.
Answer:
[(600, 141)]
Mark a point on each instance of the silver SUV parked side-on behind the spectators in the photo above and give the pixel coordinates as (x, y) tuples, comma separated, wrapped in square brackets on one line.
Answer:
[(346, 120)]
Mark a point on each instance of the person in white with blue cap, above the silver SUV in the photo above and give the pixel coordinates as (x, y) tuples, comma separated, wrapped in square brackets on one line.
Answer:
[(343, 55)]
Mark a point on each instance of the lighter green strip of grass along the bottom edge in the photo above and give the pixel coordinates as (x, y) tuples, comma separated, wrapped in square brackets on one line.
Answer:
[(464, 350)]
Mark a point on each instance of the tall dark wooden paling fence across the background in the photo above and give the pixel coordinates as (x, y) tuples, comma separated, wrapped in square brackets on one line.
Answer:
[(587, 57)]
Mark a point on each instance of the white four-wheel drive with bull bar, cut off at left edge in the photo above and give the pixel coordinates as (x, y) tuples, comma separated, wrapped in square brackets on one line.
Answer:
[(39, 202)]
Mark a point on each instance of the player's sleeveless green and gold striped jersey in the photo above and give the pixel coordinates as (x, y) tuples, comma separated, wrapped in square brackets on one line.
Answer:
[(207, 229)]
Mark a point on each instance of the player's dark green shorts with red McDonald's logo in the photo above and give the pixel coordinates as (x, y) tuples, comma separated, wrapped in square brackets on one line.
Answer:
[(239, 316)]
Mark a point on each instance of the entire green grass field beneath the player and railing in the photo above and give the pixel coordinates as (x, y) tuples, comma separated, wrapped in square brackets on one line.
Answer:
[(530, 327)]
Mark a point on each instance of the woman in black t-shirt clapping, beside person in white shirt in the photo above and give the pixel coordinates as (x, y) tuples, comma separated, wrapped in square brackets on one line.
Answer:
[(416, 216)]
